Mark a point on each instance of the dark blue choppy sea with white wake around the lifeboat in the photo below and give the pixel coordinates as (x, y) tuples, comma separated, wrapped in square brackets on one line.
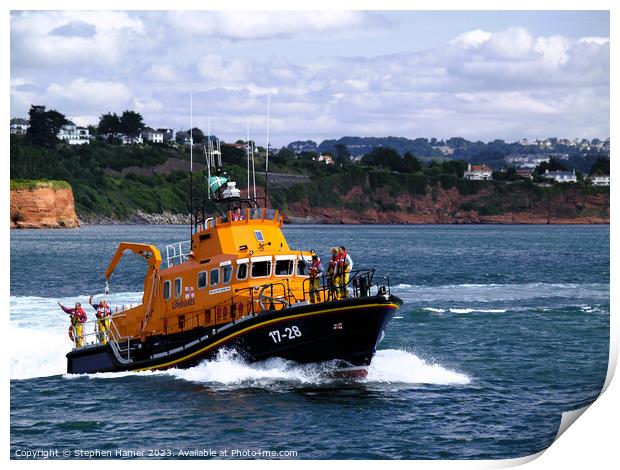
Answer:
[(503, 329)]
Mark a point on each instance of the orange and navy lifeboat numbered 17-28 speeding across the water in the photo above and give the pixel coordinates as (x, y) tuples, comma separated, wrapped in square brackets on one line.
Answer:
[(236, 284)]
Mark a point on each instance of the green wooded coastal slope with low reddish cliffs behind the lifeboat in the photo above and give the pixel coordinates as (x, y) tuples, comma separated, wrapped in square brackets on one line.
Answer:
[(148, 184)]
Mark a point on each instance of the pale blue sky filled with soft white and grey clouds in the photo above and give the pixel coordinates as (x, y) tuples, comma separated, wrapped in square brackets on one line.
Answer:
[(480, 75)]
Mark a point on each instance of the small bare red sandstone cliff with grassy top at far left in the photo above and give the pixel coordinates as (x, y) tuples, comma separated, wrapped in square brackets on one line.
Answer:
[(43, 207)]
